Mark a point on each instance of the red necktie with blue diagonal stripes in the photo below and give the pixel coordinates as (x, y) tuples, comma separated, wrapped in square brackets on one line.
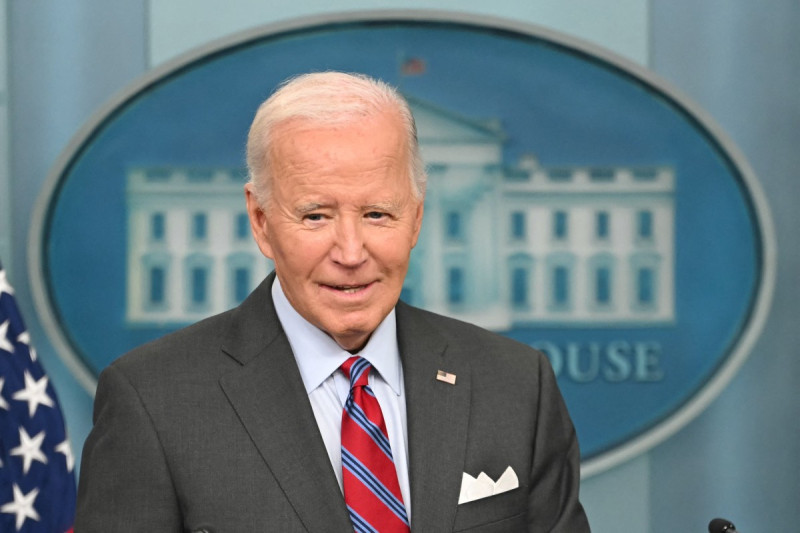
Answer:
[(371, 490)]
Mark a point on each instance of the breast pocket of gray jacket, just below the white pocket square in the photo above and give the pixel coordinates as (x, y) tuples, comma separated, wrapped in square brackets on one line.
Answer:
[(506, 509)]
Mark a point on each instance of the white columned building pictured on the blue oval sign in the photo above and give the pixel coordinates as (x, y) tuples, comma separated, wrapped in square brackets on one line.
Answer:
[(501, 246)]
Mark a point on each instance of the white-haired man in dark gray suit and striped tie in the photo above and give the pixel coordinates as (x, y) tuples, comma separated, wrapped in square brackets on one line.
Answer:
[(236, 423)]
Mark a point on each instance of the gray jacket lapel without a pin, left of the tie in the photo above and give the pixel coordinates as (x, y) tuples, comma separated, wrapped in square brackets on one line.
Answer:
[(268, 395)]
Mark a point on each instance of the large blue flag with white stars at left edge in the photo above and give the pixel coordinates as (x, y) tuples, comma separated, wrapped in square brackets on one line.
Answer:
[(37, 482)]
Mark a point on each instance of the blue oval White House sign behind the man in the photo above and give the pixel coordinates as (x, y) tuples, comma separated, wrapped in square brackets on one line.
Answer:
[(575, 203)]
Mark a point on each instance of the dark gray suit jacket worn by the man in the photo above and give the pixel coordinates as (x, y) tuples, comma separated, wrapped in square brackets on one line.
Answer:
[(210, 428)]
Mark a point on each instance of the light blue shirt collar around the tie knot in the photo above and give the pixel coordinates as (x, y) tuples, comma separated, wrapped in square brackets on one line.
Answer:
[(318, 356)]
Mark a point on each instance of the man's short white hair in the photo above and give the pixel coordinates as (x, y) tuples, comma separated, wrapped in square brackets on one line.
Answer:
[(327, 98)]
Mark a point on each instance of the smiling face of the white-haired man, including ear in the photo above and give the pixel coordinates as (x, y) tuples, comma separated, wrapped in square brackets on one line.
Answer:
[(340, 222)]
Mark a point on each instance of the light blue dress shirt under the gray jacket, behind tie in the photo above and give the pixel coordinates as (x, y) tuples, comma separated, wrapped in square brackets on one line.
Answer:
[(319, 358)]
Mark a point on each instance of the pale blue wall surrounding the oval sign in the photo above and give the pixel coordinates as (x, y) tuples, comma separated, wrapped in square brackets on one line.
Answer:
[(735, 58)]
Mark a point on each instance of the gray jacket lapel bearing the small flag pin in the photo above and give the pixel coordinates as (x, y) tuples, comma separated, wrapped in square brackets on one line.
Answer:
[(437, 415)]
